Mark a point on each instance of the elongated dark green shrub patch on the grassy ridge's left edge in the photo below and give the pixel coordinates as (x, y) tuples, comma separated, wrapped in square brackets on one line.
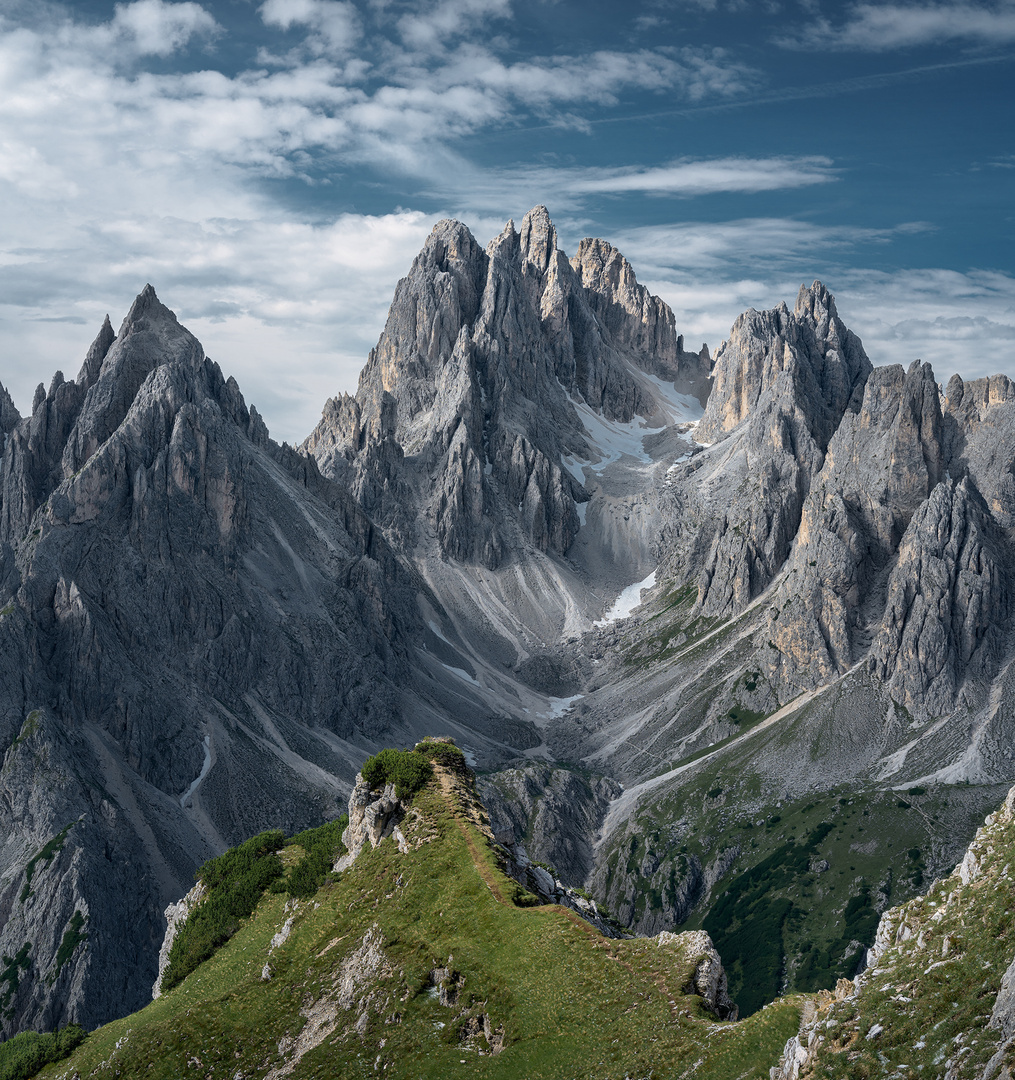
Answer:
[(236, 883)]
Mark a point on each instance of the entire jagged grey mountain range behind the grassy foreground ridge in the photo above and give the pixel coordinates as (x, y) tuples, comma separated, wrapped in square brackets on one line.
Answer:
[(716, 631)]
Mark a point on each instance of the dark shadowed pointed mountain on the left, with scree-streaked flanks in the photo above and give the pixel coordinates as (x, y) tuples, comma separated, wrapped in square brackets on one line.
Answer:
[(198, 634)]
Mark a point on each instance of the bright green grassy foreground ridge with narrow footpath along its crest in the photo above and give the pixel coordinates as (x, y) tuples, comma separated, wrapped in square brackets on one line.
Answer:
[(424, 965)]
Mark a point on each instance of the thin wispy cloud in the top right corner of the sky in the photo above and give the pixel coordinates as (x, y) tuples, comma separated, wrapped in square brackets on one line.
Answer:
[(882, 28)]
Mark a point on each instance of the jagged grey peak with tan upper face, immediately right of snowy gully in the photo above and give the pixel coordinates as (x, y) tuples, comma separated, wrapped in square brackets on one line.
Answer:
[(782, 384)]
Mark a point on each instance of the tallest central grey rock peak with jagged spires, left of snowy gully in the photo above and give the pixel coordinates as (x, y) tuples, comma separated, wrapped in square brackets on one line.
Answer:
[(466, 407)]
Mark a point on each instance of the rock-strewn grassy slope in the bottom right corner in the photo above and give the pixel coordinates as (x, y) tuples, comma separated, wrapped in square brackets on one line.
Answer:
[(929, 1005)]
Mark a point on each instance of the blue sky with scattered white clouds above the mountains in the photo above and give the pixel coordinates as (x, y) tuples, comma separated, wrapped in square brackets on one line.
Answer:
[(273, 167)]
